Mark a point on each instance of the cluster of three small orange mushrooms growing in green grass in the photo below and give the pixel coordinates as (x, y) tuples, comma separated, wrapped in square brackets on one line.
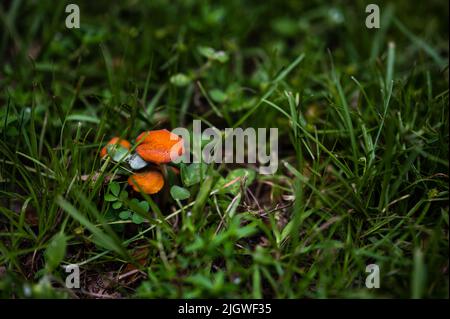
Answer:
[(158, 147)]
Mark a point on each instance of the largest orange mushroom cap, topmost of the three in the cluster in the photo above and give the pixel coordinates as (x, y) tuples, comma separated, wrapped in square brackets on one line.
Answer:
[(156, 146)]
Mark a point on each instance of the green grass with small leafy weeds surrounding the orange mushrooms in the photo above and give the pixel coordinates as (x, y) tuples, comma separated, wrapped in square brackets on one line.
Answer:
[(363, 152)]
